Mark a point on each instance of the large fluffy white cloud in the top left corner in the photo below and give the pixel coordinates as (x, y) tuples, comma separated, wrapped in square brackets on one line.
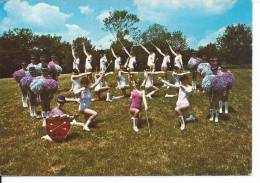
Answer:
[(40, 16)]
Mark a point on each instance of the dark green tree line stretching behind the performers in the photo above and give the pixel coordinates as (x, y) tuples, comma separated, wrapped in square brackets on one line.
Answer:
[(234, 46)]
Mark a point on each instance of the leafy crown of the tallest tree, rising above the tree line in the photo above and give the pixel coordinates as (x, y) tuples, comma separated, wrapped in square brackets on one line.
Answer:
[(121, 24)]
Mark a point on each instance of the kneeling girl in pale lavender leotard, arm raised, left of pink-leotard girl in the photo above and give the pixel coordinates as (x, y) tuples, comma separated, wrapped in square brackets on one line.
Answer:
[(85, 100)]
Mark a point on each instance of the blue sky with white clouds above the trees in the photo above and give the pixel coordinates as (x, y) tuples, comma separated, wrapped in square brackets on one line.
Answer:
[(201, 21)]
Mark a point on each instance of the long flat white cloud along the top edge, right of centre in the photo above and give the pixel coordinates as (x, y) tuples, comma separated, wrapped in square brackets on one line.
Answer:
[(211, 6)]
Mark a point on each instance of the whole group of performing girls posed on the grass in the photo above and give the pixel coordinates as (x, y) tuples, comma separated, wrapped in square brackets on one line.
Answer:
[(38, 83)]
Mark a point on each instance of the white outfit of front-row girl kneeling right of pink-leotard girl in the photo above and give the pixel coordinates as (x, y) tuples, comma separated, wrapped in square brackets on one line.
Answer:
[(183, 96)]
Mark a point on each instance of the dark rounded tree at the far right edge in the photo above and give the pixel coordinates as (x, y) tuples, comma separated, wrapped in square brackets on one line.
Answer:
[(235, 45)]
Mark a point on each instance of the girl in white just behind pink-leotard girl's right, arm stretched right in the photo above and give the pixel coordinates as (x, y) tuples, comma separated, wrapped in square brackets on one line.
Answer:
[(148, 82)]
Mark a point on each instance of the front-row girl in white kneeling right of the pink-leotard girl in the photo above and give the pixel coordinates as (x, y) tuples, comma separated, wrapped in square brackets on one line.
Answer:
[(182, 103)]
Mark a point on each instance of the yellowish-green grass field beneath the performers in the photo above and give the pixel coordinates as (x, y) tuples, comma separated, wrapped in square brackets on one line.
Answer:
[(112, 147)]
